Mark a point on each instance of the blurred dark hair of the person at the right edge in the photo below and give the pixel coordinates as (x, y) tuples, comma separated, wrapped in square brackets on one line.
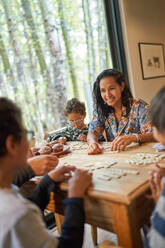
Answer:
[(157, 110)]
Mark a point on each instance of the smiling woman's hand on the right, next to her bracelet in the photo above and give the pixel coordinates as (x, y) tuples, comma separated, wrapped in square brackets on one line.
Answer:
[(120, 143)]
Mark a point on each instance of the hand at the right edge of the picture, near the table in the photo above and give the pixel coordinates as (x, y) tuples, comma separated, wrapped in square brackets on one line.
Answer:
[(156, 183)]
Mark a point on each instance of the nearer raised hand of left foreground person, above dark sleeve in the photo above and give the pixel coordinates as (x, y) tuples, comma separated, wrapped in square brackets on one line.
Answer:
[(79, 183)]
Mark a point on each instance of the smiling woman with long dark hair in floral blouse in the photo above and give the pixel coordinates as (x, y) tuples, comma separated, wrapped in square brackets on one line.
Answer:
[(118, 116)]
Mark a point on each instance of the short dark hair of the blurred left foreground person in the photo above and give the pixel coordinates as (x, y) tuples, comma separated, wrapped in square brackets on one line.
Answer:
[(10, 122)]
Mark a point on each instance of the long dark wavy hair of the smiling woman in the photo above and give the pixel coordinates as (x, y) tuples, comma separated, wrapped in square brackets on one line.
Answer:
[(102, 109)]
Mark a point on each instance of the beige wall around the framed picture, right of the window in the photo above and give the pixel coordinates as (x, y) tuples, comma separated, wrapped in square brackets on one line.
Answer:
[(142, 21)]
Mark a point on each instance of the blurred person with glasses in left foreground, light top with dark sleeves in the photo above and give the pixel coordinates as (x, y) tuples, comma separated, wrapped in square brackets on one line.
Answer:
[(21, 222)]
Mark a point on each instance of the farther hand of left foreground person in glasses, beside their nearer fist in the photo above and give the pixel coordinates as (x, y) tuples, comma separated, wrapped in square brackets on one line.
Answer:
[(61, 173)]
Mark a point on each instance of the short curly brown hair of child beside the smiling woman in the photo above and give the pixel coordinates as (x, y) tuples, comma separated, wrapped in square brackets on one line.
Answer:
[(75, 106)]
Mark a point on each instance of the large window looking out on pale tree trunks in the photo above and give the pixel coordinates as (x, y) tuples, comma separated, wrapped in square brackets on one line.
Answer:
[(52, 50)]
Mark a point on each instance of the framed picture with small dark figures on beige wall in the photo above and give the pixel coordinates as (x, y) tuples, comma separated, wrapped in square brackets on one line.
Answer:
[(152, 60)]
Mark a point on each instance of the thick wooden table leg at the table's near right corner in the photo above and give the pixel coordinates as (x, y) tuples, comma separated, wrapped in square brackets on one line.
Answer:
[(126, 227)]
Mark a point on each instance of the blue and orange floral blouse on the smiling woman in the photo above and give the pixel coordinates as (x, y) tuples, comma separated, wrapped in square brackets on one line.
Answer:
[(136, 122)]
